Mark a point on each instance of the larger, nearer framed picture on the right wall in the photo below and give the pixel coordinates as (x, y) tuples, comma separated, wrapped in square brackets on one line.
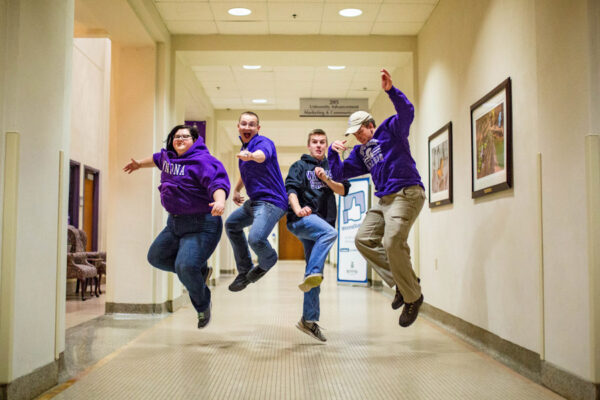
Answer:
[(491, 142)]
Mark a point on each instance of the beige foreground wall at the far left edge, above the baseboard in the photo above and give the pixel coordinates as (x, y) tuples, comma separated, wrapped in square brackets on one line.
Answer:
[(36, 103)]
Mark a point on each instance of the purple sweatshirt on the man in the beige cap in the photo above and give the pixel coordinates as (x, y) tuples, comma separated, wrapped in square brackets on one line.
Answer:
[(386, 156)]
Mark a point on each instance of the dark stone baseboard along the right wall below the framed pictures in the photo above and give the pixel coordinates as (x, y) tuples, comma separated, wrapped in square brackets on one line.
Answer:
[(520, 359)]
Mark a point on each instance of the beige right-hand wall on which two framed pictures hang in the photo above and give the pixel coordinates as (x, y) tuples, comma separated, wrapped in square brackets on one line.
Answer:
[(480, 258)]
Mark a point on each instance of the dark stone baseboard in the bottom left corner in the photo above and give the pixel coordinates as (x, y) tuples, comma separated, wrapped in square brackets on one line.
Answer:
[(33, 384)]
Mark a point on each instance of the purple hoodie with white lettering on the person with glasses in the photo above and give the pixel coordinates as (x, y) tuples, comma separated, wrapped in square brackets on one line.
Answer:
[(187, 183)]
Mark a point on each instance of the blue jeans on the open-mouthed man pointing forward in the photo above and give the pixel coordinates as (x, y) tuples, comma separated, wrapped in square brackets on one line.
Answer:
[(262, 216)]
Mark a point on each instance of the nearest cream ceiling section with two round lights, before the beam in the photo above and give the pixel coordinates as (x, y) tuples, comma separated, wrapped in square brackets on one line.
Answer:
[(312, 17)]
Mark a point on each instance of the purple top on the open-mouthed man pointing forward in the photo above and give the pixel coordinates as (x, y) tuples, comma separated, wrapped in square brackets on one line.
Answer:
[(263, 181)]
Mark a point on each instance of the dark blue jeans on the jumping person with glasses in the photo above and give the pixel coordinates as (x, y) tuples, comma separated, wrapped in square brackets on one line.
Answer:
[(184, 247)]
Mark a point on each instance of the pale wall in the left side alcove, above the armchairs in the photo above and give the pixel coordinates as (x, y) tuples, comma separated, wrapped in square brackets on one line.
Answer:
[(90, 116)]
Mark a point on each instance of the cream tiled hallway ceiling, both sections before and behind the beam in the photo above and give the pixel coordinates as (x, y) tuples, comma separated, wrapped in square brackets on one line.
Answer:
[(285, 77)]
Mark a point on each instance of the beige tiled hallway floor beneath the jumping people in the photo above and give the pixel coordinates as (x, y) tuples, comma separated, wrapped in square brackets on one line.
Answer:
[(251, 350)]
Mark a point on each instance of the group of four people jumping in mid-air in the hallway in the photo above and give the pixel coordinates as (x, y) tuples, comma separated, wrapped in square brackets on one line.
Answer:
[(195, 185)]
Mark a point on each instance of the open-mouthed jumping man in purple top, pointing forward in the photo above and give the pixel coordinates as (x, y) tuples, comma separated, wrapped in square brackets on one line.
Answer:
[(260, 174)]
